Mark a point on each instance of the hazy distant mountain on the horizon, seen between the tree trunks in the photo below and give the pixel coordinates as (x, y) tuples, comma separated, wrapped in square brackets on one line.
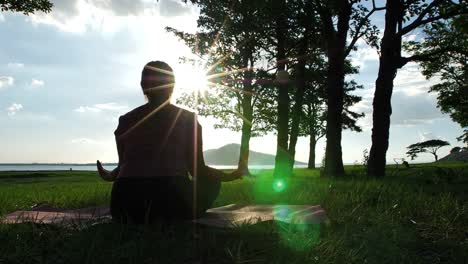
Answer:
[(229, 155)]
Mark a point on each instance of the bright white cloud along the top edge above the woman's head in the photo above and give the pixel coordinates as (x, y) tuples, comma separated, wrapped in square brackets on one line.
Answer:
[(80, 16)]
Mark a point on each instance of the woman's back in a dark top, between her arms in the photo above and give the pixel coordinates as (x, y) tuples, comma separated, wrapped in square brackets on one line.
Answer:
[(155, 143)]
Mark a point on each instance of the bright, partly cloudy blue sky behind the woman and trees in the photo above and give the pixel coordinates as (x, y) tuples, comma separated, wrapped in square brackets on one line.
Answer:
[(66, 77)]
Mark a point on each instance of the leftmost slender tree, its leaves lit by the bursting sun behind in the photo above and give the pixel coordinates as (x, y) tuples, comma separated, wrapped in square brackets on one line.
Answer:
[(228, 37)]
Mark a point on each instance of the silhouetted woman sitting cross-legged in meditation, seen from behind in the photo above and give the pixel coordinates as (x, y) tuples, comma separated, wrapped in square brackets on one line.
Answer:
[(161, 171)]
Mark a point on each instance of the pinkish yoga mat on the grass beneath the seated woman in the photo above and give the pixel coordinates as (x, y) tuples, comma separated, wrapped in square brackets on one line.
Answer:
[(226, 216)]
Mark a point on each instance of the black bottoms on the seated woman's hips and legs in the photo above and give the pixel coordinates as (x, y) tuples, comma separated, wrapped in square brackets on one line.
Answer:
[(146, 200)]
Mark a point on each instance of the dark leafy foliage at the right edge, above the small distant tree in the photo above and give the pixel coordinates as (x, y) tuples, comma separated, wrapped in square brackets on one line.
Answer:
[(447, 41)]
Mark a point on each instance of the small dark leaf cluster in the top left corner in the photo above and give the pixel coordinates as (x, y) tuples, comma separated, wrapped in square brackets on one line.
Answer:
[(26, 6)]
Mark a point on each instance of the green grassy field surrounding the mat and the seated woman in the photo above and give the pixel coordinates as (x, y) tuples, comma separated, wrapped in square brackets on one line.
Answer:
[(416, 215)]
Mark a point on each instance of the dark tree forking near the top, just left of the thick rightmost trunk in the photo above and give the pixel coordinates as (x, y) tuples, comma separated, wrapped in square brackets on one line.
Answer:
[(341, 20)]
